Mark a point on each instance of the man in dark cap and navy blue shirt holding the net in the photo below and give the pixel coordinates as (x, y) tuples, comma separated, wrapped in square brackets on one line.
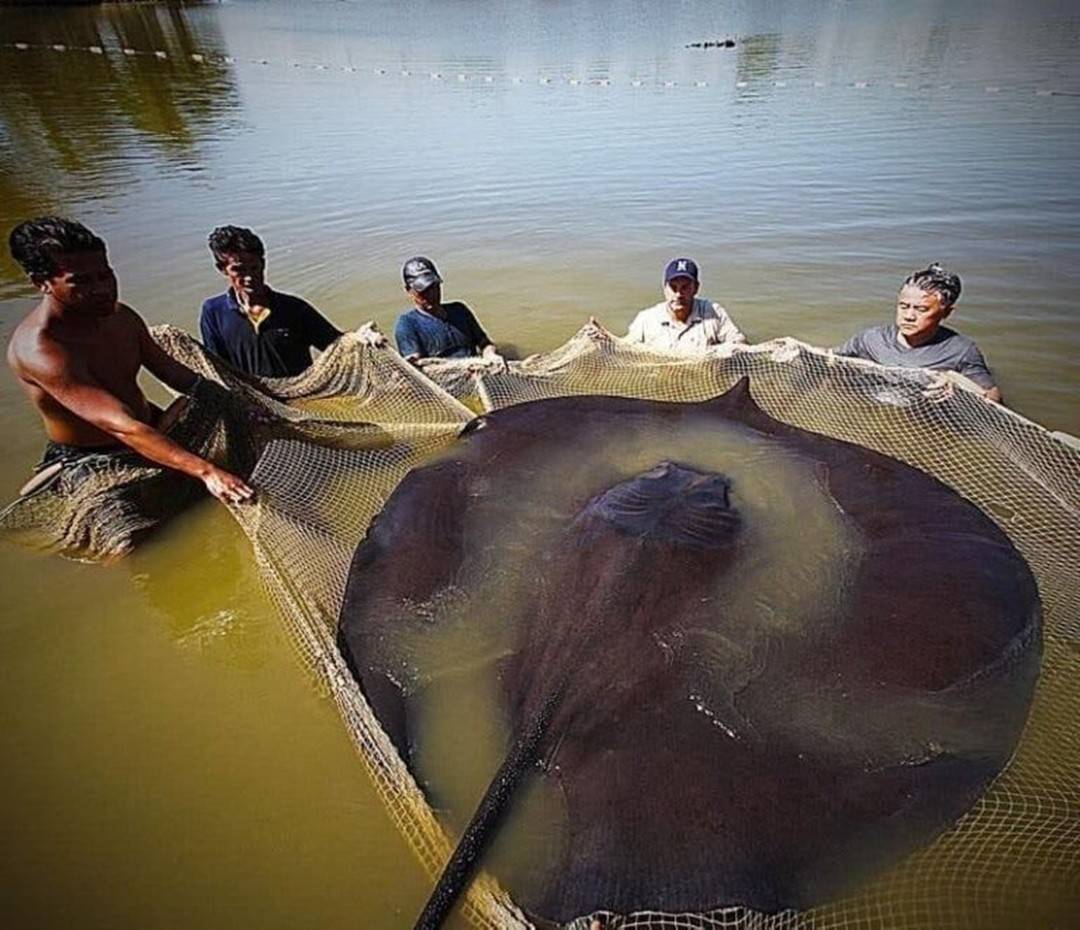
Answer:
[(434, 330)]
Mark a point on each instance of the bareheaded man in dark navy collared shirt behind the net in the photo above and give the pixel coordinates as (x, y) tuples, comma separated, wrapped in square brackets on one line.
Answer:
[(254, 328)]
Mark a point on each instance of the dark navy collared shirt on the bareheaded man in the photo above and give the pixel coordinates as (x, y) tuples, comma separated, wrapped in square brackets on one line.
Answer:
[(278, 345)]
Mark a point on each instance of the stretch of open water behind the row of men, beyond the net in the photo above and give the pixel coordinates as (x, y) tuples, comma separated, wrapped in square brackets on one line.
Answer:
[(835, 149)]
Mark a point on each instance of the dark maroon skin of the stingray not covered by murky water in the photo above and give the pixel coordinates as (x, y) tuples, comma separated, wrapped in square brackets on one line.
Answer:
[(666, 811)]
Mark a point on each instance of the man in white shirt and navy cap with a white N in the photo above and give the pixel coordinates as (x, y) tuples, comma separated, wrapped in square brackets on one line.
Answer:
[(684, 324)]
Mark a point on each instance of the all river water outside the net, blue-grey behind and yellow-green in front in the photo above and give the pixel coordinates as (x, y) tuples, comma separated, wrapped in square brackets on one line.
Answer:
[(167, 763)]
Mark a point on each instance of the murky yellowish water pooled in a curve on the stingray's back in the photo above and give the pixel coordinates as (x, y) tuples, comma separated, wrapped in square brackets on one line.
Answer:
[(452, 656)]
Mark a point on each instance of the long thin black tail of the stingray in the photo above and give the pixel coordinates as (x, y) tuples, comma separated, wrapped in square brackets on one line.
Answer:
[(458, 870)]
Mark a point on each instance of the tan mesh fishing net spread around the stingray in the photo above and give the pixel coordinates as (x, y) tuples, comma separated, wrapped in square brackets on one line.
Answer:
[(328, 449)]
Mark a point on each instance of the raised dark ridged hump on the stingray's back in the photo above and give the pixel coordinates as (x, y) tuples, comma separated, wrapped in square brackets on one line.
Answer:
[(671, 504)]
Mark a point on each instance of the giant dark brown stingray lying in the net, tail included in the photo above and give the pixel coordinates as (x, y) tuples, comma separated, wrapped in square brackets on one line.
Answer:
[(713, 744)]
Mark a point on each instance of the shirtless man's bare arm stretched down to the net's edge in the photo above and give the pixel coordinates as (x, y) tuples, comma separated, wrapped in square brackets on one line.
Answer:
[(70, 384)]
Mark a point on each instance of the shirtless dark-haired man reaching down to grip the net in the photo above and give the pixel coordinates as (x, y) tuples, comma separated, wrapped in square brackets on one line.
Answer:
[(77, 356)]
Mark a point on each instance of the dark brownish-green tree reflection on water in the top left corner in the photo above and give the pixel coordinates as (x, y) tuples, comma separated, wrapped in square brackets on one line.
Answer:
[(75, 126)]
